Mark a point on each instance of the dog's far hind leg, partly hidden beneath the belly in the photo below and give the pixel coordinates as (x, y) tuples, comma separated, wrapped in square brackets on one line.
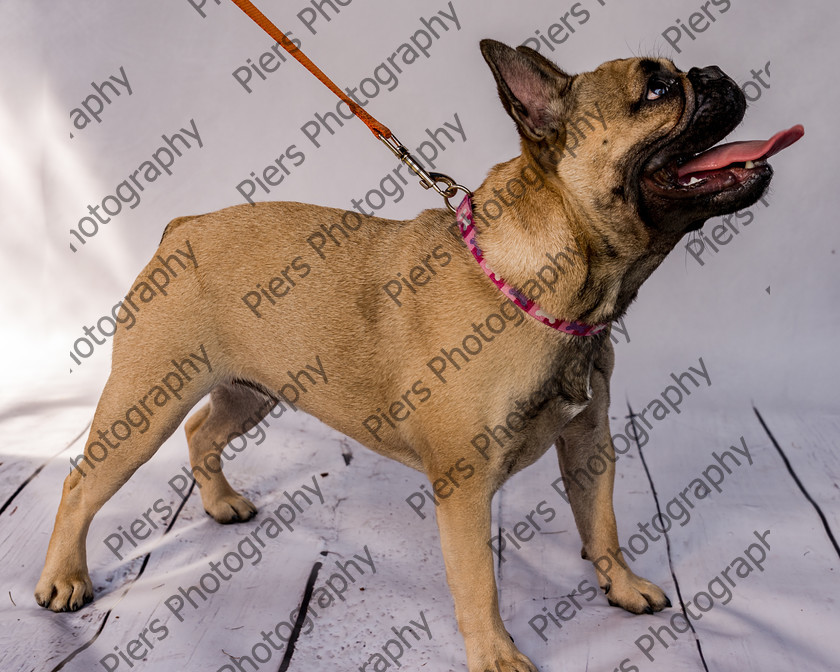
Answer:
[(233, 410)]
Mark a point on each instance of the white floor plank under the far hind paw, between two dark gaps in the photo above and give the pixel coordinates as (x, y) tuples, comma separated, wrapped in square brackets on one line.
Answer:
[(254, 596)]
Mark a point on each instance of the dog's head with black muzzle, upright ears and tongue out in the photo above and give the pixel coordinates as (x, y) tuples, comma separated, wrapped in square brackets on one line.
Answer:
[(623, 140)]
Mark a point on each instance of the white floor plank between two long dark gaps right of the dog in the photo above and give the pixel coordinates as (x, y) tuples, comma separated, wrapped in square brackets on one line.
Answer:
[(782, 617)]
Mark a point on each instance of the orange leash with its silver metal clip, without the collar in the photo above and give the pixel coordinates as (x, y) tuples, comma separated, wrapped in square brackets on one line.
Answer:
[(428, 180)]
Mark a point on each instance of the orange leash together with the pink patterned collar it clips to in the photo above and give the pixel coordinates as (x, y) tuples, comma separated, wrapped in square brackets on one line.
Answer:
[(428, 180)]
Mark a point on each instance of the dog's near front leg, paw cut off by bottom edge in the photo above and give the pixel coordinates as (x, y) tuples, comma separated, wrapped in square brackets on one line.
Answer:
[(464, 524)]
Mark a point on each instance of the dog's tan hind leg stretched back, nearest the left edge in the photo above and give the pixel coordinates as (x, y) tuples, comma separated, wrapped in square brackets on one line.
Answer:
[(130, 424)]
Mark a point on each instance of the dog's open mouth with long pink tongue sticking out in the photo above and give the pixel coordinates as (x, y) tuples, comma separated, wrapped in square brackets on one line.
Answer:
[(722, 167)]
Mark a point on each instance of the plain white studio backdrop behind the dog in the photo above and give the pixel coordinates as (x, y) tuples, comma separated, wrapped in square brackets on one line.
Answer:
[(762, 312)]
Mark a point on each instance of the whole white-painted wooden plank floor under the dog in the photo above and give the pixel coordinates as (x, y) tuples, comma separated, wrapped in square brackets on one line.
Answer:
[(781, 616)]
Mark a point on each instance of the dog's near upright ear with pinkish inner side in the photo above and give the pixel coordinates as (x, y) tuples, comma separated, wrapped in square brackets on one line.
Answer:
[(531, 87)]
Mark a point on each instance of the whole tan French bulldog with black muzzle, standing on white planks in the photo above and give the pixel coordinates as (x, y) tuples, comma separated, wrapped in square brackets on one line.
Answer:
[(617, 165)]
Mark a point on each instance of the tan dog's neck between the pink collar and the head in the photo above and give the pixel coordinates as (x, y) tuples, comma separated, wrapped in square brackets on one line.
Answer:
[(553, 247)]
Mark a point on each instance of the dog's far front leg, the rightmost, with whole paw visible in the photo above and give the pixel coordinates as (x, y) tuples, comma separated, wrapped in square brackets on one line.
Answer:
[(586, 441)]
